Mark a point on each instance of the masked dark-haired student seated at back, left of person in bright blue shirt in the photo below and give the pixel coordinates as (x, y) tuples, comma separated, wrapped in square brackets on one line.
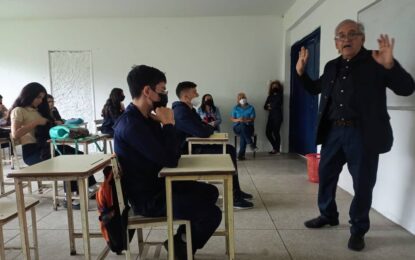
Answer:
[(210, 113)]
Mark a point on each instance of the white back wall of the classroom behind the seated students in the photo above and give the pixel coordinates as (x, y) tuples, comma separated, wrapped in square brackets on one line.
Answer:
[(223, 55)]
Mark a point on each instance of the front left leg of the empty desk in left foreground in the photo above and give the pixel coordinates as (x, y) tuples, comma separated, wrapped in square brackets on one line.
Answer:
[(24, 237)]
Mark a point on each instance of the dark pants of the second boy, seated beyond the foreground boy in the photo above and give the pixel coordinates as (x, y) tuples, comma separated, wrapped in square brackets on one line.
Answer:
[(218, 149)]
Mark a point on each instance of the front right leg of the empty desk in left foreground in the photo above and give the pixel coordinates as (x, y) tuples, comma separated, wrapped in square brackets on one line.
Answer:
[(84, 216)]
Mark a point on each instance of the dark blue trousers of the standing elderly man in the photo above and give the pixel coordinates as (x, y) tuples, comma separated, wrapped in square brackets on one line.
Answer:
[(345, 145)]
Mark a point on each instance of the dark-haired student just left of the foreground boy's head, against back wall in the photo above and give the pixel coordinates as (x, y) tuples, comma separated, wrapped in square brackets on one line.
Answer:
[(112, 109)]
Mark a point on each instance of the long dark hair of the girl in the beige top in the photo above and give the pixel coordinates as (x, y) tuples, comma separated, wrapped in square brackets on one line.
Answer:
[(26, 97)]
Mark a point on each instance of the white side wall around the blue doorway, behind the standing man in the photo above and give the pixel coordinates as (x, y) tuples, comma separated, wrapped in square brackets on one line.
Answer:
[(394, 194)]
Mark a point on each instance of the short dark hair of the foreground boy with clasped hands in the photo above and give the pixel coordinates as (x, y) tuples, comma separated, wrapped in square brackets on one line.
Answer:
[(141, 76)]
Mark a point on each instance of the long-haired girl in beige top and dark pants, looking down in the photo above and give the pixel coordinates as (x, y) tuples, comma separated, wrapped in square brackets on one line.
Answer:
[(31, 120)]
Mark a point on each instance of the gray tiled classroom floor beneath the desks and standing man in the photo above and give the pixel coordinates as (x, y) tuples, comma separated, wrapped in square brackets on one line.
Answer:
[(272, 230)]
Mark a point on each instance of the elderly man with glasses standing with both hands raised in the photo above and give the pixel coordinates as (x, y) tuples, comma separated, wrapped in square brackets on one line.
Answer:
[(353, 123)]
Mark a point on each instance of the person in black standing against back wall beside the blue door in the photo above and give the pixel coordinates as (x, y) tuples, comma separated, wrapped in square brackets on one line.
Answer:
[(273, 105)]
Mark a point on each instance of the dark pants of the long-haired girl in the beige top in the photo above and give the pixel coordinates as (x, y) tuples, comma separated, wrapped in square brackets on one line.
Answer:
[(33, 153)]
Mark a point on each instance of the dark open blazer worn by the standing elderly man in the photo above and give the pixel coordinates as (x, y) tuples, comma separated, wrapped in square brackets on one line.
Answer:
[(370, 81)]
